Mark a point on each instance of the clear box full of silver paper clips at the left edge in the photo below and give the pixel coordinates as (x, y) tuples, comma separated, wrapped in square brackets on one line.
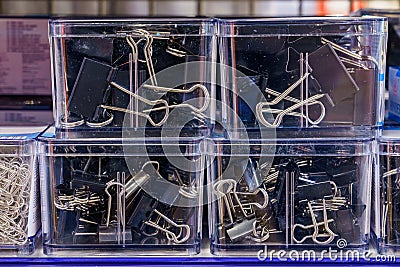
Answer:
[(19, 196)]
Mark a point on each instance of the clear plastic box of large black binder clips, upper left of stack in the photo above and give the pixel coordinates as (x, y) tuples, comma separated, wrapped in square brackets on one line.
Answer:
[(114, 73)]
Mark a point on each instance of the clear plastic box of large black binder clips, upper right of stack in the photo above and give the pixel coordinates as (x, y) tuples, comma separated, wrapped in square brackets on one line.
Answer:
[(302, 72)]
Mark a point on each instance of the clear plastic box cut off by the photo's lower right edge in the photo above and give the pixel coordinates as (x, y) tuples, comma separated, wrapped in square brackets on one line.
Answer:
[(387, 197)]
